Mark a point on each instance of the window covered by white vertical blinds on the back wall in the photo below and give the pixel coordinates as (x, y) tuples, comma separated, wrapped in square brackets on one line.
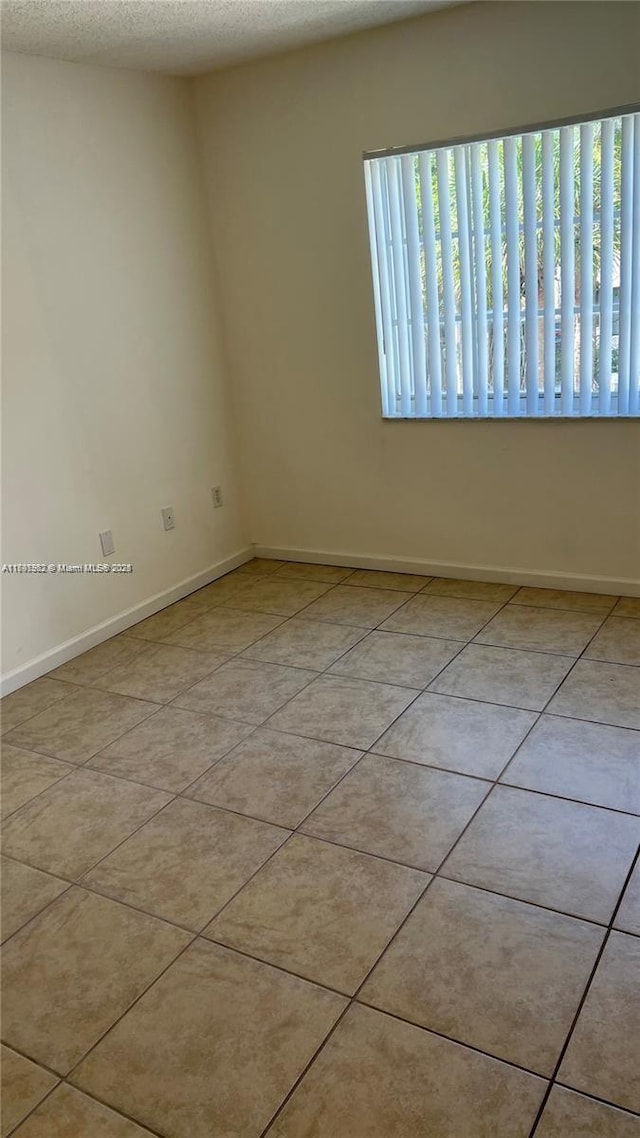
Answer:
[(507, 274)]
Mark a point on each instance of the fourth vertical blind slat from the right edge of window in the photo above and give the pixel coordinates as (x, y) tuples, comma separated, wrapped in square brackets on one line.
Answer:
[(586, 267)]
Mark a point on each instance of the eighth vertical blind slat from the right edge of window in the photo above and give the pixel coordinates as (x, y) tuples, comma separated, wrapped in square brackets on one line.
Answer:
[(514, 317)]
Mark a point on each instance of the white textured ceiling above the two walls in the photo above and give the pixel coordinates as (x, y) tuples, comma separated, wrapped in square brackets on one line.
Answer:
[(187, 37)]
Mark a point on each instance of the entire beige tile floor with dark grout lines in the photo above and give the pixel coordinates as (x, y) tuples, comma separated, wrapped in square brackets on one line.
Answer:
[(321, 853)]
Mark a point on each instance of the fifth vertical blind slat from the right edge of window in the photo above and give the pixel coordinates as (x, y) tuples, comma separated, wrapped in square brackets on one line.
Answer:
[(568, 267)]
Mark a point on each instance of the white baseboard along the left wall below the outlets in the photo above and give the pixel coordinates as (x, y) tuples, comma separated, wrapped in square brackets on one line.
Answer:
[(72, 648)]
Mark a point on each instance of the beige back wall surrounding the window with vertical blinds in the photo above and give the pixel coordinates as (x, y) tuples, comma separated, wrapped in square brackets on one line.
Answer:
[(283, 141)]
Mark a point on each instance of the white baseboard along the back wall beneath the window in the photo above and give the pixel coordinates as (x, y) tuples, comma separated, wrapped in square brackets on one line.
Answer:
[(613, 587)]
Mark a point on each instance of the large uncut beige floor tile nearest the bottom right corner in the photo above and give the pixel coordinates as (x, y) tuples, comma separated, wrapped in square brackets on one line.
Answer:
[(502, 976)]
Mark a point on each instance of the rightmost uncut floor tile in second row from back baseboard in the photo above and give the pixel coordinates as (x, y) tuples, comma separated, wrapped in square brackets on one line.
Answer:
[(541, 630)]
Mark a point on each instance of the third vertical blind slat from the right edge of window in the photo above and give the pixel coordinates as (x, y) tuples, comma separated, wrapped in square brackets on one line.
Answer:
[(606, 266)]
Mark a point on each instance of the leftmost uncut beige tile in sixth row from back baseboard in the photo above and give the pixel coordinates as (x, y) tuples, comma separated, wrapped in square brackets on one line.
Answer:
[(186, 863)]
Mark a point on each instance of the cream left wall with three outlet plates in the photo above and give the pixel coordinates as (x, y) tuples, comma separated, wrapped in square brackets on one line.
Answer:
[(114, 393)]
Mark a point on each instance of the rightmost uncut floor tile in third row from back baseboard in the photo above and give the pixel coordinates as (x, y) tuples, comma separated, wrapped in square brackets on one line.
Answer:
[(504, 675)]
